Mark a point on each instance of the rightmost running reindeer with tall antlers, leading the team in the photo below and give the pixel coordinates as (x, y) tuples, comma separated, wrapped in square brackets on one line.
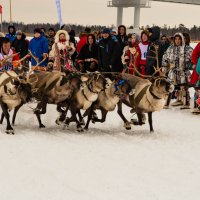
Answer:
[(150, 93)]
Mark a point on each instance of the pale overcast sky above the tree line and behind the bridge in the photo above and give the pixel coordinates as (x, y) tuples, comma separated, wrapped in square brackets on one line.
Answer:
[(88, 12)]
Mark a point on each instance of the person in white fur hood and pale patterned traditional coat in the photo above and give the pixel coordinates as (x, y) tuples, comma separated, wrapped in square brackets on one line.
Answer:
[(62, 50)]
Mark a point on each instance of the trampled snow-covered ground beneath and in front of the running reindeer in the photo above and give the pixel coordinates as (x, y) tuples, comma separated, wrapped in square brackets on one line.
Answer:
[(105, 163)]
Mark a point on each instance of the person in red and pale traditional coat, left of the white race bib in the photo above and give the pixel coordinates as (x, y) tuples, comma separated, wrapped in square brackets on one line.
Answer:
[(131, 54)]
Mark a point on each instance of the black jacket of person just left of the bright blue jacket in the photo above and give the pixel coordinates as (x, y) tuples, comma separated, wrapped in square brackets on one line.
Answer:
[(21, 46)]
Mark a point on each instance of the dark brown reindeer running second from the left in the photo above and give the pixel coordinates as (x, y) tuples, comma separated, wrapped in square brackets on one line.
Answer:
[(55, 88)]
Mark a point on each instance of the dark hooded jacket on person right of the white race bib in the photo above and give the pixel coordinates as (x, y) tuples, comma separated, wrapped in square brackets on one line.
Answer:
[(154, 39)]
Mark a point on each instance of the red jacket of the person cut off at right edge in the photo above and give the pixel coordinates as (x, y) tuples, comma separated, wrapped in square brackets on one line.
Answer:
[(195, 57)]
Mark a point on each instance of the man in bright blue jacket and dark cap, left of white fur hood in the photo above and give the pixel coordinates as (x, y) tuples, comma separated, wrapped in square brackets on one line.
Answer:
[(38, 46)]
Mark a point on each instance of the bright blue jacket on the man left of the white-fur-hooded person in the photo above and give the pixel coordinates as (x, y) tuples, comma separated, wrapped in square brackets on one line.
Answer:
[(38, 46)]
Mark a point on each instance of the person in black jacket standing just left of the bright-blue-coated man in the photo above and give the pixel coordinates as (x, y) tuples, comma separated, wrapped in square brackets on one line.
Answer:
[(20, 46)]
